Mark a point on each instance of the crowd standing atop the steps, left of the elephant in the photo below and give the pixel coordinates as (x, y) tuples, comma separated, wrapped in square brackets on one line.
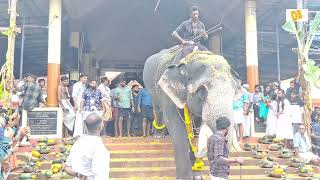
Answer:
[(125, 110)]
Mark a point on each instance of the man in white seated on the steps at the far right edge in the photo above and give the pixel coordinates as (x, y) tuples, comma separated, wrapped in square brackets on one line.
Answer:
[(302, 146)]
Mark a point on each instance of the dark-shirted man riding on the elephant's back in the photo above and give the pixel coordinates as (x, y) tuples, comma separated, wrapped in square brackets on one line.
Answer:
[(187, 32)]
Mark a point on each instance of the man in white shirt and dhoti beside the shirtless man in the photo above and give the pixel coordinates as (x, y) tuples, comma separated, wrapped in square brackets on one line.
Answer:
[(77, 92)]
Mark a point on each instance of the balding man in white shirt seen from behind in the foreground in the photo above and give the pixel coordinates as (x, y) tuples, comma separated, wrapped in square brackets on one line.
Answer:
[(89, 159)]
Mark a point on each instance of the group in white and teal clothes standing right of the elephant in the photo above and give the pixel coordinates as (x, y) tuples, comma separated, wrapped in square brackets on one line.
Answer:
[(269, 106)]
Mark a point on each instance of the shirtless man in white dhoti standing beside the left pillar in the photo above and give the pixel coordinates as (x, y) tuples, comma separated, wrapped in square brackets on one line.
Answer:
[(69, 114)]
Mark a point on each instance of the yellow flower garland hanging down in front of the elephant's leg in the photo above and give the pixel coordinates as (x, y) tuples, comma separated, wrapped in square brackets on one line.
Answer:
[(198, 164)]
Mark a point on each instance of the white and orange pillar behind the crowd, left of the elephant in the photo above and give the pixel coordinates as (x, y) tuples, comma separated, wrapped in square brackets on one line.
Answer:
[(54, 51)]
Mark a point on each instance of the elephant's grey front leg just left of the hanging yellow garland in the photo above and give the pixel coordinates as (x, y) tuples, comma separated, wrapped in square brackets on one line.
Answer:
[(181, 146)]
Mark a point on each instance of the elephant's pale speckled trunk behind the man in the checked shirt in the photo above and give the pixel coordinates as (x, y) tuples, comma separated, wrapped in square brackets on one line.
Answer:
[(219, 104)]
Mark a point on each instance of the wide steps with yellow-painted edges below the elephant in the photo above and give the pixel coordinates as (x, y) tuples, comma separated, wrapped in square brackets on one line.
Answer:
[(148, 158)]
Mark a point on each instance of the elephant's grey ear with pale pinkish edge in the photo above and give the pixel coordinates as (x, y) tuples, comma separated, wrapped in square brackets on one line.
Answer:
[(173, 84)]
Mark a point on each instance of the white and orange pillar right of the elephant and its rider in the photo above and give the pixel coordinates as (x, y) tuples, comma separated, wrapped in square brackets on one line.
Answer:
[(251, 44)]
